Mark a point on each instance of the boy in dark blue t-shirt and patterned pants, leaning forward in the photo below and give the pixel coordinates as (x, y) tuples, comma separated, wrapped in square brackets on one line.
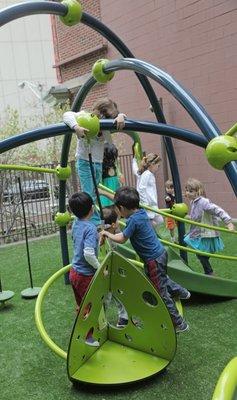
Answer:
[(149, 249)]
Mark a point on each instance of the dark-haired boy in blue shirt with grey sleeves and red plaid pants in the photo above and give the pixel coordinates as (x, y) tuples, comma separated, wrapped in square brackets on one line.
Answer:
[(85, 247)]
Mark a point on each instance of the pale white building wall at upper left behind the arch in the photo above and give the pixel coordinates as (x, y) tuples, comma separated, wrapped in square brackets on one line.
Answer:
[(26, 49)]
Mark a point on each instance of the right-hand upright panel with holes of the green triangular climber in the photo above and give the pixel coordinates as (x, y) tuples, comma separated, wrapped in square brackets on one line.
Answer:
[(157, 336)]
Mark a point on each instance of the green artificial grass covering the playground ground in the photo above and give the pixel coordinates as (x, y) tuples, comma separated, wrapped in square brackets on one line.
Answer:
[(30, 370)]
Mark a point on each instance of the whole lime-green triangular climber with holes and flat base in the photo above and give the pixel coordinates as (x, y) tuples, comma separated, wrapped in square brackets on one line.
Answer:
[(149, 347)]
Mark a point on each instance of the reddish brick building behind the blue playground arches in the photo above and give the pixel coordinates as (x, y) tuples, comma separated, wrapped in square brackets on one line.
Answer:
[(194, 41)]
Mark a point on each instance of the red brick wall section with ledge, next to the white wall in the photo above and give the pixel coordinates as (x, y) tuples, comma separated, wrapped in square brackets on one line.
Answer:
[(77, 48)]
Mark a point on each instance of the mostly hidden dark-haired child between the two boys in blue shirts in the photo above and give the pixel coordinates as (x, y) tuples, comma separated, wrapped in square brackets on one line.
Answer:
[(111, 225)]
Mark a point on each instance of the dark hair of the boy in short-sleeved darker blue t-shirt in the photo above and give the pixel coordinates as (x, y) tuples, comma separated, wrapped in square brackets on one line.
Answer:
[(127, 197)]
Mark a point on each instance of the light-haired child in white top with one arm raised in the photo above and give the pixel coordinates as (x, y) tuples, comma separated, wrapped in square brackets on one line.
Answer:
[(146, 184)]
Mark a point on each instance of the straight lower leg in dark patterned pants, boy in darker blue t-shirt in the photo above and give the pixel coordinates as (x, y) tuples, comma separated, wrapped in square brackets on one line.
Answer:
[(156, 272)]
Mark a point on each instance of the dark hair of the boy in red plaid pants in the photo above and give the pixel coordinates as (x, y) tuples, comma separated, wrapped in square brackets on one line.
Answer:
[(80, 204)]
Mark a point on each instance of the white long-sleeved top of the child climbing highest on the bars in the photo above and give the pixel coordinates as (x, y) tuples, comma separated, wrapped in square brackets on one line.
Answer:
[(97, 144)]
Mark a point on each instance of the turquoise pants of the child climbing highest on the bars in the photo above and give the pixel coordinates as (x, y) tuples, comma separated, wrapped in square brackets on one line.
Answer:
[(86, 182)]
